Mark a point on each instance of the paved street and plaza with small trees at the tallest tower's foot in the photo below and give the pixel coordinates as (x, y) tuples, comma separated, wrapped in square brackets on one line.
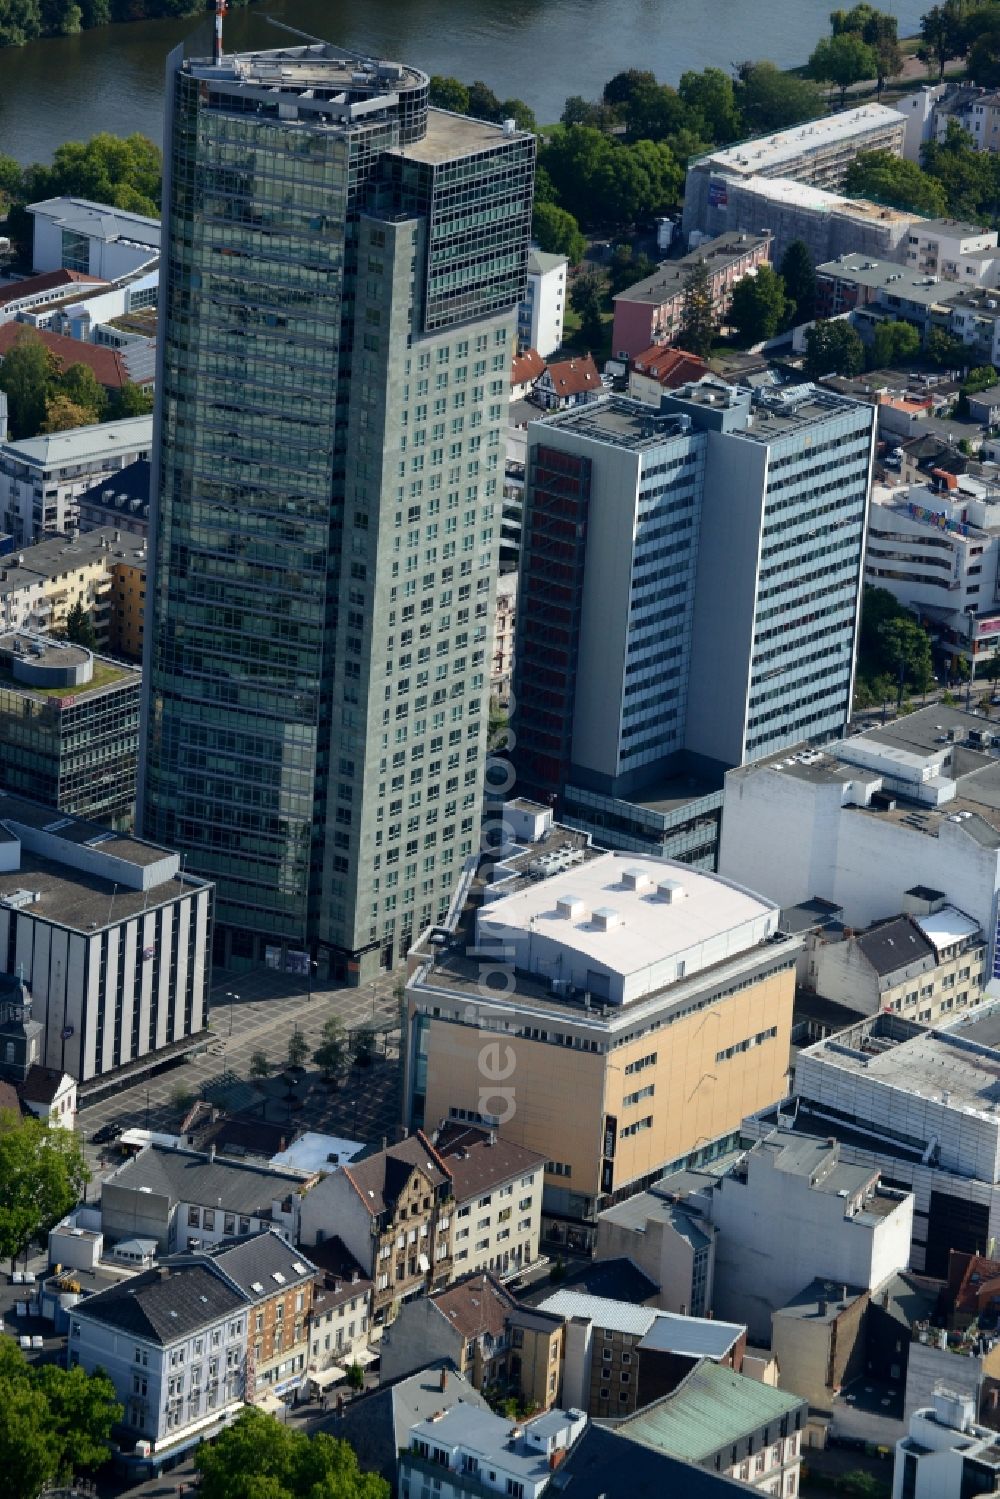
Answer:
[(259, 1013)]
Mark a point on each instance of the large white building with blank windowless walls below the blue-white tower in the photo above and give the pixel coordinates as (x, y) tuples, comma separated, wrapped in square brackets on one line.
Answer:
[(906, 804)]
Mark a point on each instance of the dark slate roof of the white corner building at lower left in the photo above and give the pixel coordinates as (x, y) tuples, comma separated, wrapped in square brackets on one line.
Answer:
[(164, 1308)]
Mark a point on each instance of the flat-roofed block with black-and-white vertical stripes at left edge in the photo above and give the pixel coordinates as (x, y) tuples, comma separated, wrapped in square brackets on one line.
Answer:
[(110, 936)]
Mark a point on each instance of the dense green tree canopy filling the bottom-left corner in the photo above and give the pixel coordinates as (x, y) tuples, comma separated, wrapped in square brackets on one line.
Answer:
[(55, 1423)]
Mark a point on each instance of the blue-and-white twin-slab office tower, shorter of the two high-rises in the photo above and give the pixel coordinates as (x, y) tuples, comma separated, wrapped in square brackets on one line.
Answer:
[(689, 602)]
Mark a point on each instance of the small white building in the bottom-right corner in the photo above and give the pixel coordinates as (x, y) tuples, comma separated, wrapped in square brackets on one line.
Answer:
[(945, 1455)]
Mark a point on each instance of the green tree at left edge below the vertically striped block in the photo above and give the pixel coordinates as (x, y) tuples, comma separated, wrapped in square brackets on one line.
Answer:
[(43, 1176)]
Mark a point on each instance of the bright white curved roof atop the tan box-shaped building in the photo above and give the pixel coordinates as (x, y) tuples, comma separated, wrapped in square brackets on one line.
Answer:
[(638, 929)]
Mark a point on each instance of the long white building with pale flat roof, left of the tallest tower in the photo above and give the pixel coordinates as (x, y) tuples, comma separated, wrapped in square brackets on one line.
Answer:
[(43, 477)]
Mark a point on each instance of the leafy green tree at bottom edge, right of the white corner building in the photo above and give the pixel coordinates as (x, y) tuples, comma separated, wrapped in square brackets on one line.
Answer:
[(260, 1458)]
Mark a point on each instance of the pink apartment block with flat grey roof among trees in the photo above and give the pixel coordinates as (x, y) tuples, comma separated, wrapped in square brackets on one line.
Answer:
[(651, 311)]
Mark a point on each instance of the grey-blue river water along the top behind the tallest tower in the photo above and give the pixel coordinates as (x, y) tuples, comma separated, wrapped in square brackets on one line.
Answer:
[(536, 50)]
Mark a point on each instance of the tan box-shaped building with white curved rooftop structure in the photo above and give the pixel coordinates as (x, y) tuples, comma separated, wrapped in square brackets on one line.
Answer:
[(611, 969)]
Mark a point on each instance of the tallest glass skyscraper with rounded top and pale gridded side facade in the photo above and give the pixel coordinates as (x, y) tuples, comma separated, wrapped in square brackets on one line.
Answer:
[(343, 271)]
